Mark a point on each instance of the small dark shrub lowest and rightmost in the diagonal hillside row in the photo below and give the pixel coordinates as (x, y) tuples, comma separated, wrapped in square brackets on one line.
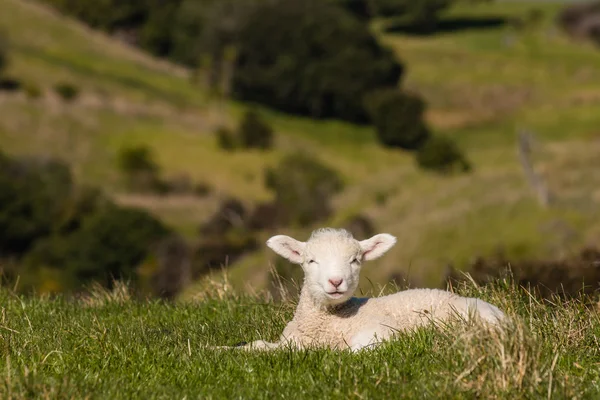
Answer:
[(441, 154)]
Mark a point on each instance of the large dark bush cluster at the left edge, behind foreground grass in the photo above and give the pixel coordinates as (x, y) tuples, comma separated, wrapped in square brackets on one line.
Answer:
[(49, 223)]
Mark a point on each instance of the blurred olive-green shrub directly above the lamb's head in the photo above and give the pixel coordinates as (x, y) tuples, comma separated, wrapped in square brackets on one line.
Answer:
[(303, 187)]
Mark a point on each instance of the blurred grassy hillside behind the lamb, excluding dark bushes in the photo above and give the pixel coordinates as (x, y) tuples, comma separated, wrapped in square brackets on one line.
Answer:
[(482, 84)]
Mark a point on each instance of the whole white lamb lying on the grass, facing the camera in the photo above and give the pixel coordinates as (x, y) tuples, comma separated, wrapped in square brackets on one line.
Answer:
[(328, 316)]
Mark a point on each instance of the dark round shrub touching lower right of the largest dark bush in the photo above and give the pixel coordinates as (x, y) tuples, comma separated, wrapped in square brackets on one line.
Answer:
[(398, 118)]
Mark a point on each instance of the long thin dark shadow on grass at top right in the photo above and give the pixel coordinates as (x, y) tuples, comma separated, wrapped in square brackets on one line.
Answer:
[(448, 25)]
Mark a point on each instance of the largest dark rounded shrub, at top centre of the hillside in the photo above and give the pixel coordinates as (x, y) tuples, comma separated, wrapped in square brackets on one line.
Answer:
[(310, 57)]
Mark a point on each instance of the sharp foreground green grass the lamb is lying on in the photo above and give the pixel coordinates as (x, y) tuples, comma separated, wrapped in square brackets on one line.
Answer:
[(111, 346)]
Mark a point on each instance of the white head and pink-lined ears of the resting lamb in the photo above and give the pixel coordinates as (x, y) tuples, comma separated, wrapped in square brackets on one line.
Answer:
[(331, 260)]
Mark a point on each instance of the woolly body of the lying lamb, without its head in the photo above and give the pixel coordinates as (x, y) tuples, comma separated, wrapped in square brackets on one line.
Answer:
[(360, 322)]
